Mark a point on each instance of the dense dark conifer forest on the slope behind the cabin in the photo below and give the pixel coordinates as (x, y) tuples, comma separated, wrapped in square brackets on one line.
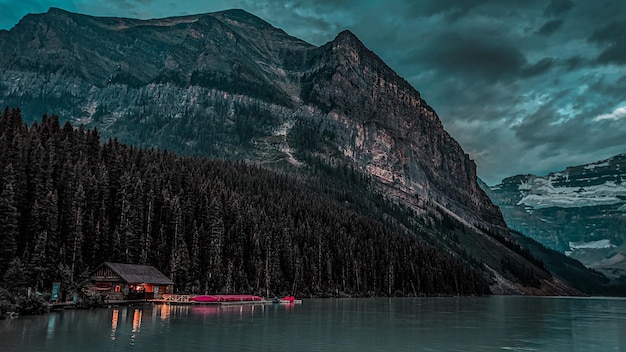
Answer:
[(212, 226)]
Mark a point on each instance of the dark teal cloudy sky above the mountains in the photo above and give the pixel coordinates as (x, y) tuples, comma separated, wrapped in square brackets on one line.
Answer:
[(526, 86)]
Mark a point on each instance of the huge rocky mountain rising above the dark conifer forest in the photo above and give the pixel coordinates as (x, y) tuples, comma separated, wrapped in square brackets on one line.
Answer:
[(229, 85)]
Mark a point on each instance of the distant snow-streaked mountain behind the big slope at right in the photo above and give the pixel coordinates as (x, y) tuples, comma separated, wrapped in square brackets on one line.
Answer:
[(580, 211)]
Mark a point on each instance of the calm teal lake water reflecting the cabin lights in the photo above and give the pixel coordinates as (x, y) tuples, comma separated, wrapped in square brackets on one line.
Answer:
[(376, 324)]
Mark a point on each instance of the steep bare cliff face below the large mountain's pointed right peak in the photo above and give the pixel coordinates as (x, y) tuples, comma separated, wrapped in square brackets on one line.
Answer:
[(393, 134)]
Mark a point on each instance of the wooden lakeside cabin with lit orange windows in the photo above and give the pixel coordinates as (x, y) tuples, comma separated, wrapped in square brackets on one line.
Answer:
[(128, 281)]
